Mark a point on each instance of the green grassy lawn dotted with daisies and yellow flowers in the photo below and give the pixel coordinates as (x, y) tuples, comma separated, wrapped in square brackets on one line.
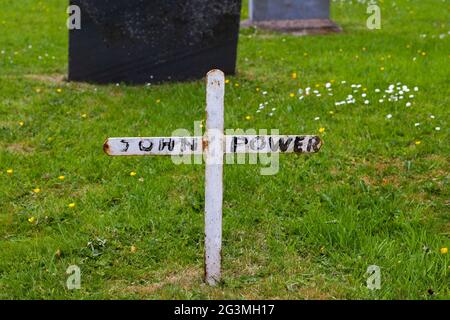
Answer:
[(376, 194)]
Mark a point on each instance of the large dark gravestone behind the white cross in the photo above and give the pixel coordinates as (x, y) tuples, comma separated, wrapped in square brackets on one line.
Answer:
[(141, 41)]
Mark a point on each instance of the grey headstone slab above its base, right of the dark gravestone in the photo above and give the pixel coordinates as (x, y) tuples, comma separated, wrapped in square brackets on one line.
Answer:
[(266, 10)]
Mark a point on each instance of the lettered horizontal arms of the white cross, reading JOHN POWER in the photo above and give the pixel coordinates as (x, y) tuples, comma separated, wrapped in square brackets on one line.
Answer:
[(169, 146)]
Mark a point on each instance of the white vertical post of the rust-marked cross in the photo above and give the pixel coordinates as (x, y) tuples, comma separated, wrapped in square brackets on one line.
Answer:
[(213, 151)]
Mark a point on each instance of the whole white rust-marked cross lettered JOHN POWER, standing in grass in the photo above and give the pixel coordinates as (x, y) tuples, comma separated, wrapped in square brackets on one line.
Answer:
[(213, 145)]
